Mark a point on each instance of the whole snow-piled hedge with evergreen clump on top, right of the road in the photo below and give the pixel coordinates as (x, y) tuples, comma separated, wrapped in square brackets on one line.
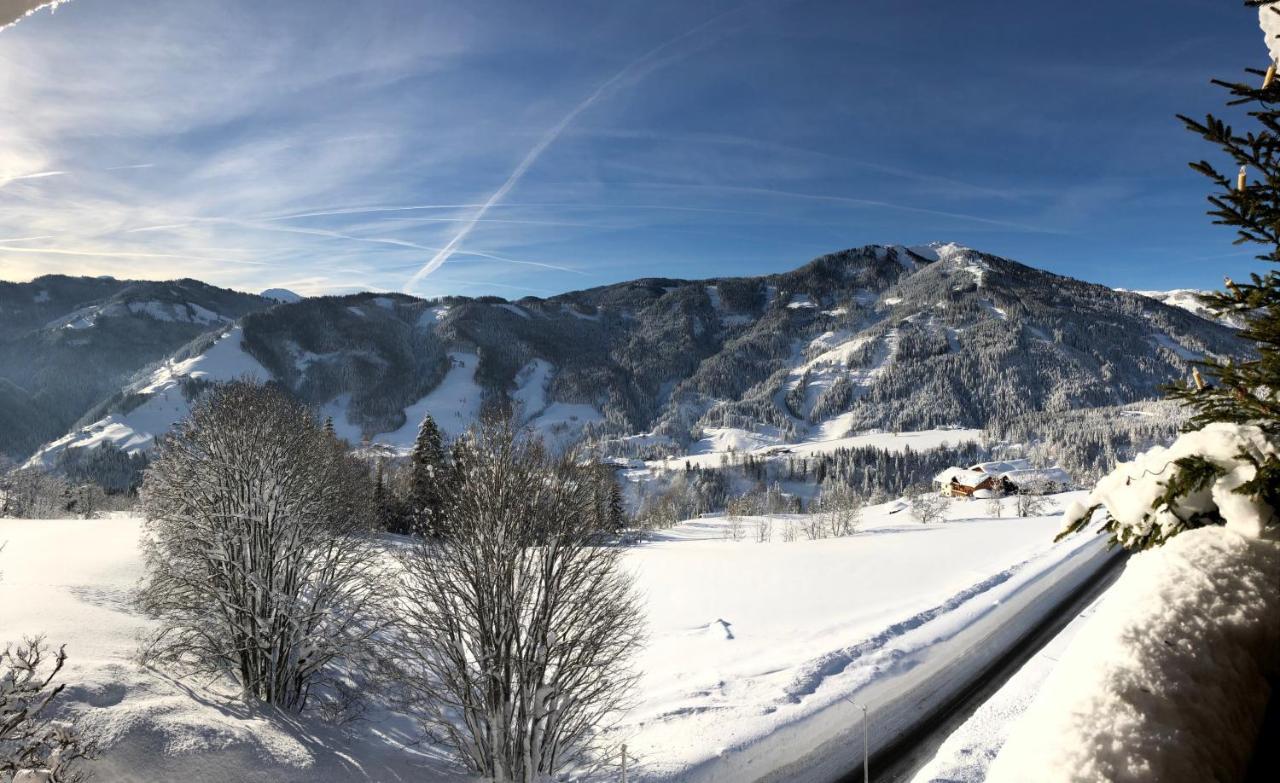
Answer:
[(1169, 681)]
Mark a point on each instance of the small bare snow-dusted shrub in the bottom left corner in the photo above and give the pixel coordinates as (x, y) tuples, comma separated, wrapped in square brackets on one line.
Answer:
[(33, 748)]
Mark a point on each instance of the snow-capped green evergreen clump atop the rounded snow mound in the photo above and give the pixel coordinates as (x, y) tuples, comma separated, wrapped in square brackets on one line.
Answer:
[(1223, 474)]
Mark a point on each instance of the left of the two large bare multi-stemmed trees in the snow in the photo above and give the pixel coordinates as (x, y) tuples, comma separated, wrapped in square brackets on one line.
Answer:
[(258, 561)]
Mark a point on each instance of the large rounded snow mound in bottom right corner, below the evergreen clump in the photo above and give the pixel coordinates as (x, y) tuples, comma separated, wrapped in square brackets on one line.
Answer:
[(1169, 680)]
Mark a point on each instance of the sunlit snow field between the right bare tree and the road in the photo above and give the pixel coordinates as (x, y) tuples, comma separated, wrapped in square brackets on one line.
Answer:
[(760, 652)]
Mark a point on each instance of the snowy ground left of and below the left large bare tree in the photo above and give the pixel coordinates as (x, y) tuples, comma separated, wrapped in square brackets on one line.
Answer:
[(71, 580)]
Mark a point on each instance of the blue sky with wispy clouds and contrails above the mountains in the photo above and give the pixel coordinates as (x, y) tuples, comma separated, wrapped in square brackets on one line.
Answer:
[(534, 148)]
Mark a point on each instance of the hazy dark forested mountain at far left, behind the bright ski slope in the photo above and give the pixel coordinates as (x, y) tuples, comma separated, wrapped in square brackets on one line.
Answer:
[(67, 344)]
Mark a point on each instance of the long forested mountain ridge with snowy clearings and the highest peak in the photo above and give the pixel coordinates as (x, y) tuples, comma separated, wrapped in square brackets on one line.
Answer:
[(890, 338)]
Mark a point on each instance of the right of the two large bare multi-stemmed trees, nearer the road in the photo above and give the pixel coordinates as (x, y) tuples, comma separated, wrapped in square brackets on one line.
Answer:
[(519, 629)]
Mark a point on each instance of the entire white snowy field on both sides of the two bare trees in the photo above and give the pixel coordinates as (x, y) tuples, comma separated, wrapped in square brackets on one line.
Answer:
[(757, 651)]
